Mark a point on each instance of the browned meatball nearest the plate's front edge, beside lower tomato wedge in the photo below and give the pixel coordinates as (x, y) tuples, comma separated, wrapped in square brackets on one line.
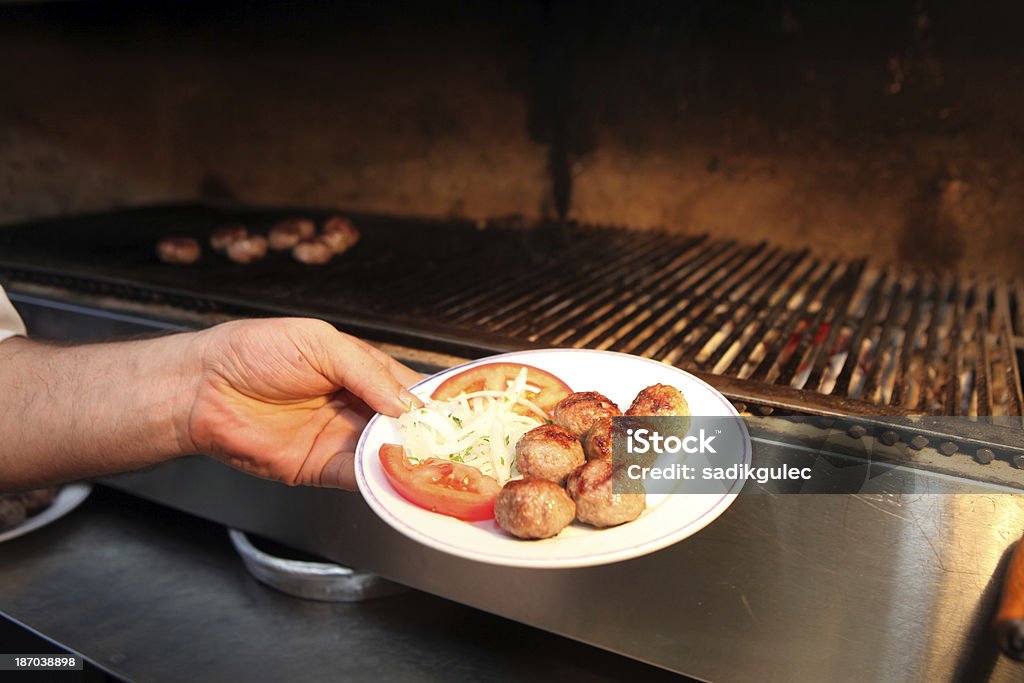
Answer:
[(534, 508)]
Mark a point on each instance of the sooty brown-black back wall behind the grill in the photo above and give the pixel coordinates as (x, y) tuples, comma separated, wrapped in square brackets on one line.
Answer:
[(884, 129)]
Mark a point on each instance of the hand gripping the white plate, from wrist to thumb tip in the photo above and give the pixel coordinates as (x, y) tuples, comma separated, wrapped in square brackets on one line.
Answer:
[(287, 399)]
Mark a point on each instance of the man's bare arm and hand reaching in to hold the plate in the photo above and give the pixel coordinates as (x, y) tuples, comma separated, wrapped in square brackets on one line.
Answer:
[(284, 399)]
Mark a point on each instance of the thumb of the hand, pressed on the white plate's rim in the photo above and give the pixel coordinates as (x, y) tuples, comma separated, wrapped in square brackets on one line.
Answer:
[(350, 366)]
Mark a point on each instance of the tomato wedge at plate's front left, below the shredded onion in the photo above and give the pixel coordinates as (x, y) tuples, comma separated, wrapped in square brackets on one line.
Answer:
[(451, 489)]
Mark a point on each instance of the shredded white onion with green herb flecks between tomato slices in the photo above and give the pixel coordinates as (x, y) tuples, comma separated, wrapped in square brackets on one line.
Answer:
[(480, 429)]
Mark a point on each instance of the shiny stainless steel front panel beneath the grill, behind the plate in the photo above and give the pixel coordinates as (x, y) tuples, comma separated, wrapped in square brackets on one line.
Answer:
[(879, 587)]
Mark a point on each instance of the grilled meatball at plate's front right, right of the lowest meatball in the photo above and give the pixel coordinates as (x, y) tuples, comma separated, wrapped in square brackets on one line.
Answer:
[(590, 486)]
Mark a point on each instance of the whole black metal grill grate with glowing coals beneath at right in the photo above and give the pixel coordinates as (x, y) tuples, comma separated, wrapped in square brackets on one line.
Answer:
[(770, 321)]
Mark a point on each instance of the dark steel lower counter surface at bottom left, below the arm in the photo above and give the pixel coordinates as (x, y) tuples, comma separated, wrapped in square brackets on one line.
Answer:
[(150, 594)]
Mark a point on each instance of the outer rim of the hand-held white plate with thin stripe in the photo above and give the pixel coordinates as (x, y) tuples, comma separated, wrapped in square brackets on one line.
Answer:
[(594, 560)]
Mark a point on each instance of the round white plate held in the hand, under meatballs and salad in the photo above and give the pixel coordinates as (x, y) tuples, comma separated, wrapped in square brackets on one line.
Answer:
[(669, 519)]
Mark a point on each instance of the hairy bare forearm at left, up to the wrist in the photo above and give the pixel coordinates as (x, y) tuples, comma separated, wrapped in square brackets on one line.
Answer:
[(68, 413)]
